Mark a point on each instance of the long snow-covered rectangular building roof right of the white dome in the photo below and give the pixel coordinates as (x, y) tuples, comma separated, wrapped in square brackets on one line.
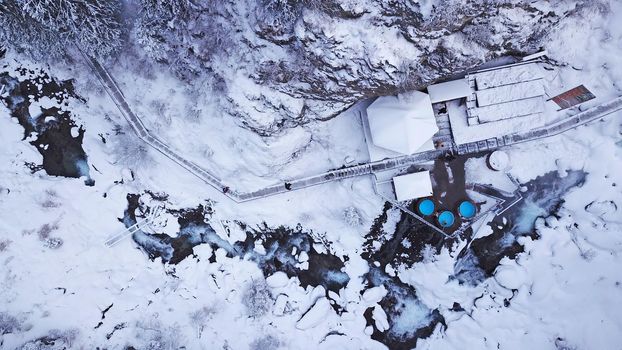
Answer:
[(494, 102)]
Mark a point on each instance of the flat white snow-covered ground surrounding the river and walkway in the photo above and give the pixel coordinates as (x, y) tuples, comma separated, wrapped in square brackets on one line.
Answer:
[(62, 288)]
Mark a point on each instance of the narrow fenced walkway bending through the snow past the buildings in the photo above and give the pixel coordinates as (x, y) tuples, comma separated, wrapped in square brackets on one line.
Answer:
[(144, 134)]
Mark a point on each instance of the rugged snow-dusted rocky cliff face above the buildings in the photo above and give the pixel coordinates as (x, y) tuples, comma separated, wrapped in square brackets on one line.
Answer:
[(282, 63)]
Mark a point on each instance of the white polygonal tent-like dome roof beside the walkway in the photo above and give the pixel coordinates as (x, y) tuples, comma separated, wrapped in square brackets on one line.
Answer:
[(402, 123)]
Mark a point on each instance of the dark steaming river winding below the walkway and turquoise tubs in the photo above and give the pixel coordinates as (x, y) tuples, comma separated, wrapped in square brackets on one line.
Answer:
[(409, 319)]
